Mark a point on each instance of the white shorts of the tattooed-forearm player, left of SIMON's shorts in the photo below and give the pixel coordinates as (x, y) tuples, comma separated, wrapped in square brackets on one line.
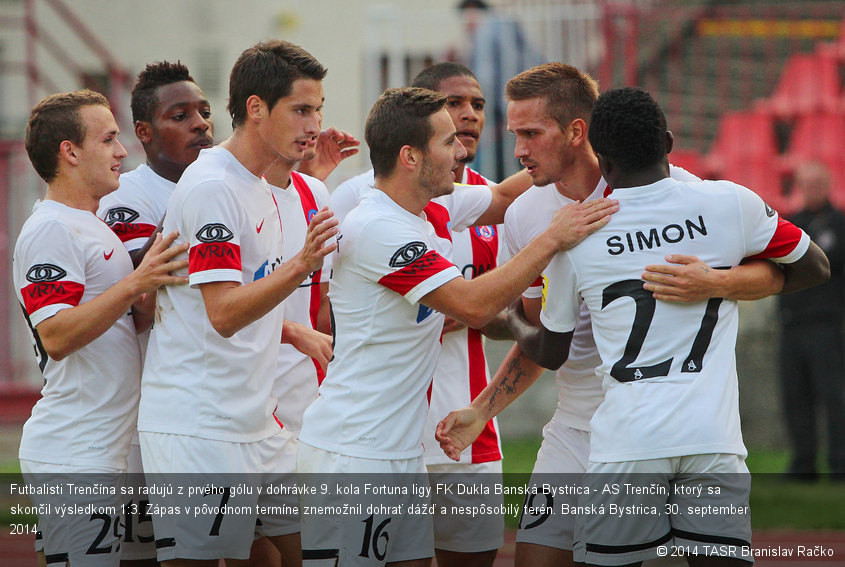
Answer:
[(561, 462)]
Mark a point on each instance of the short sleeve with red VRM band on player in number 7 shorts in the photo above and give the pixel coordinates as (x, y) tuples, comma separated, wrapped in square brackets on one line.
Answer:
[(212, 223)]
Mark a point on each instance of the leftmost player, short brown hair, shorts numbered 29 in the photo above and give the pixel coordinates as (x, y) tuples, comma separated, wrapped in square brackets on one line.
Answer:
[(85, 305)]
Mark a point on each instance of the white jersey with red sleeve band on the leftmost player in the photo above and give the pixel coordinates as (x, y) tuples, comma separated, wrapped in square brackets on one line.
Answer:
[(66, 257)]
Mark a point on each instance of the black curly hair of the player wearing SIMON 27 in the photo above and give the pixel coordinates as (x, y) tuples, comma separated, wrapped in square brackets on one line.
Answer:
[(628, 128)]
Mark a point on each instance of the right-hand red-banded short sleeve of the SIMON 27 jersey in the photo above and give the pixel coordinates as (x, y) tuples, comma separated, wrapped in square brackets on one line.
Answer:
[(768, 236)]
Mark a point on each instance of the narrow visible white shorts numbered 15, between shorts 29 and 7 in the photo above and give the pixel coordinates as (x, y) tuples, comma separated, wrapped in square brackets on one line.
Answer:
[(138, 539)]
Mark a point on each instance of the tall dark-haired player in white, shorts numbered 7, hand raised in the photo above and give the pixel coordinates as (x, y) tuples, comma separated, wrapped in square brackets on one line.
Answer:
[(206, 401)]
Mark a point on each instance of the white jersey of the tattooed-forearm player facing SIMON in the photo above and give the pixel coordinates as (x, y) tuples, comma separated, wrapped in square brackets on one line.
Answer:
[(579, 389)]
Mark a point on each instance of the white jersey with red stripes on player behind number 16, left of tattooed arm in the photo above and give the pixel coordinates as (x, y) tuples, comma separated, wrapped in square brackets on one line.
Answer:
[(475, 250)]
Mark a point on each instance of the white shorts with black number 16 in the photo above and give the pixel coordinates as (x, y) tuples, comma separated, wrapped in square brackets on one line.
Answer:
[(363, 512)]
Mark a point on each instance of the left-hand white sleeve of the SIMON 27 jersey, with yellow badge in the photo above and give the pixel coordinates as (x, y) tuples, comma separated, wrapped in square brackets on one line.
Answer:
[(561, 304)]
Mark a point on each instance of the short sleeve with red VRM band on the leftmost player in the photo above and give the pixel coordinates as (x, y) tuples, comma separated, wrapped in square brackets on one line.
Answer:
[(49, 271)]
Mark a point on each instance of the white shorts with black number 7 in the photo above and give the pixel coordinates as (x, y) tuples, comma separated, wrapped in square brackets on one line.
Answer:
[(218, 513)]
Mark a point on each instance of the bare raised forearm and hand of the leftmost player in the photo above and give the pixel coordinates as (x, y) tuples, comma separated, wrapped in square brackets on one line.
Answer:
[(71, 329)]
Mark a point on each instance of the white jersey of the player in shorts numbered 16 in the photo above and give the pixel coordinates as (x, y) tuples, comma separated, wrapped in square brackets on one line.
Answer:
[(373, 400)]
